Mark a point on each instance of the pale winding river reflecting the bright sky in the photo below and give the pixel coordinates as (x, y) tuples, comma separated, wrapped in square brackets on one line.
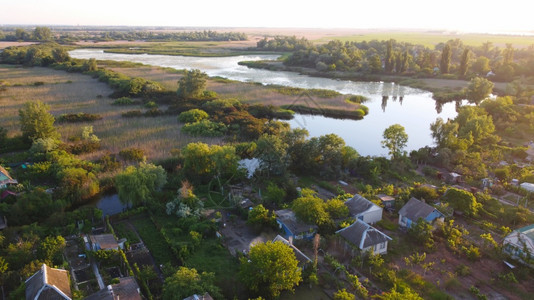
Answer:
[(388, 103)]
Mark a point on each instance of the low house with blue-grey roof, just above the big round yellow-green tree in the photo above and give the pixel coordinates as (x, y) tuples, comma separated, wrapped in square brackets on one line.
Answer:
[(293, 228)]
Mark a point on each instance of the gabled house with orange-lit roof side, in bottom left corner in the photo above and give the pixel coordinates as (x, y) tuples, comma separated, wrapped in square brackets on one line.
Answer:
[(48, 283)]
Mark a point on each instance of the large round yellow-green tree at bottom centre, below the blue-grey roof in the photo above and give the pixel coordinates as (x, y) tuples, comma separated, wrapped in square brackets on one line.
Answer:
[(270, 268)]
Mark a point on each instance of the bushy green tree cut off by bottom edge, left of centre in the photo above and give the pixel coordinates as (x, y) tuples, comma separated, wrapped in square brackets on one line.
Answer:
[(186, 282)]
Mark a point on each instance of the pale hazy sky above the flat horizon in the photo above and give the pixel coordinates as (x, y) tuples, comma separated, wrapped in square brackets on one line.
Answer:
[(469, 15)]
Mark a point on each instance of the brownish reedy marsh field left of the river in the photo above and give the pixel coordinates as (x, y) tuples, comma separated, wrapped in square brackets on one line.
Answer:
[(74, 93)]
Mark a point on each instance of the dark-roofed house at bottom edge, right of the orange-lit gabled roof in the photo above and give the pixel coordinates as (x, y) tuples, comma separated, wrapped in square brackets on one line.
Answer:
[(126, 289)]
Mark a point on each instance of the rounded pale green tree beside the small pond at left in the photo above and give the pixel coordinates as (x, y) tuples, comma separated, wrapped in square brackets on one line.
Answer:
[(135, 185)]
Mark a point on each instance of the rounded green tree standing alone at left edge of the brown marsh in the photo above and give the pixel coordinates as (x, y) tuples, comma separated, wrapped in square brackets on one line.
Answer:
[(36, 122)]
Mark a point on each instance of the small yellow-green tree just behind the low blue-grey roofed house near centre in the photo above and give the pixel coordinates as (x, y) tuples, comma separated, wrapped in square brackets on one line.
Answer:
[(309, 208)]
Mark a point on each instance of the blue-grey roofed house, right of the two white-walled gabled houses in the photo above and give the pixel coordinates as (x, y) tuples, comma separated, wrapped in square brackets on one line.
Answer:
[(415, 210)]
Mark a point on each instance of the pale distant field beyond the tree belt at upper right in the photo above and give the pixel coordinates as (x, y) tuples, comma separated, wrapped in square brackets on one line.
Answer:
[(433, 38)]
